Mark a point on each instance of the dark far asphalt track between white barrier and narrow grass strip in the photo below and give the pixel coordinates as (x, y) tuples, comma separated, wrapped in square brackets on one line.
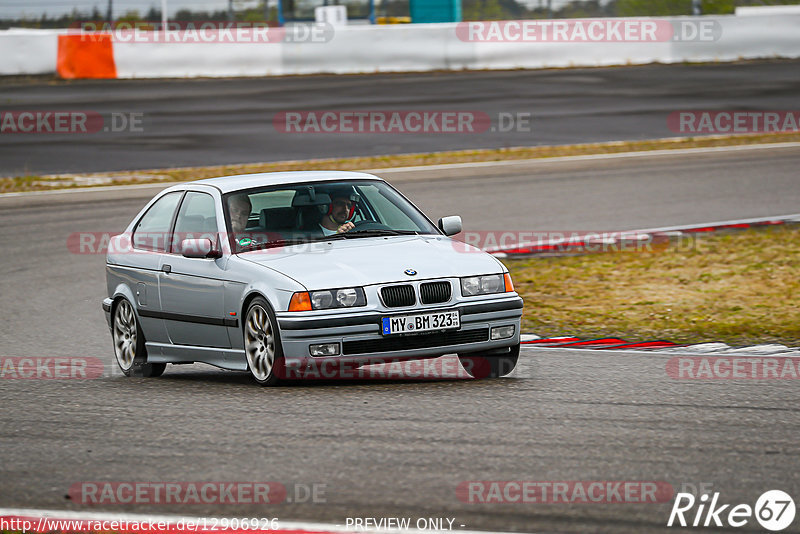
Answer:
[(208, 122)]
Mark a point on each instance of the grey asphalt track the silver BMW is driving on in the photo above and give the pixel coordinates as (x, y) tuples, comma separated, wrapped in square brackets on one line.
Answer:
[(400, 447)]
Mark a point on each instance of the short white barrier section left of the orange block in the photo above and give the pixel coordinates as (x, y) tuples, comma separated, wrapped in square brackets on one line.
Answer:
[(28, 51)]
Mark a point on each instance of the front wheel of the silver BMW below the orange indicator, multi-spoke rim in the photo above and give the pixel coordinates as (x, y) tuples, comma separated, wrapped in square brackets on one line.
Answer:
[(262, 344)]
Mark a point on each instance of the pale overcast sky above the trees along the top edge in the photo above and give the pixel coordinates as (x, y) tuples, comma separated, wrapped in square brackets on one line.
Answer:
[(17, 8)]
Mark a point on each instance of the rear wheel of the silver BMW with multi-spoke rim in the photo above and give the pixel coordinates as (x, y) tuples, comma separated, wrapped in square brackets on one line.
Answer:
[(129, 343)]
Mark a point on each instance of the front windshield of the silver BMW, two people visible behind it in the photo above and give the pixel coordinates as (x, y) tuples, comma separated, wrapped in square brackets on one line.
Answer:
[(301, 213)]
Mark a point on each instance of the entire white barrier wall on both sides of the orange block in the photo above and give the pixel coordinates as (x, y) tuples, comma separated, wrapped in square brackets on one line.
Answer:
[(413, 47)]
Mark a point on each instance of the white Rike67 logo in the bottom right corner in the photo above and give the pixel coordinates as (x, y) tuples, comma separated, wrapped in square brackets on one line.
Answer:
[(774, 510)]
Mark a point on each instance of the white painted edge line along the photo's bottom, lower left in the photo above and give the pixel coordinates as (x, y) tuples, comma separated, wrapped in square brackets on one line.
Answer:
[(174, 519)]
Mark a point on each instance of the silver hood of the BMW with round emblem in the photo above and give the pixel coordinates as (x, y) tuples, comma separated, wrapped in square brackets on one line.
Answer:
[(375, 260)]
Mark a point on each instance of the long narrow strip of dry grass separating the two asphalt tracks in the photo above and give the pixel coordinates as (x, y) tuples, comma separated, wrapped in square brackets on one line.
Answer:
[(67, 181)]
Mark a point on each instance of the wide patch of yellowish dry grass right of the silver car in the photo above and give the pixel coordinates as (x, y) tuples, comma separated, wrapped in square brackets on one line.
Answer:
[(740, 288)]
